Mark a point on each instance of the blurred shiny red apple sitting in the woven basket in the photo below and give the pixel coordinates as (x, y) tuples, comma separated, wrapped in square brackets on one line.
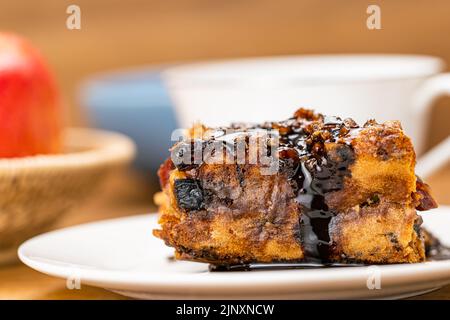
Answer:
[(30, 105)]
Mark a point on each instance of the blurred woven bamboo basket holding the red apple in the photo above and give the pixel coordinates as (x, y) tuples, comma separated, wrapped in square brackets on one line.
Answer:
[(35, 192)]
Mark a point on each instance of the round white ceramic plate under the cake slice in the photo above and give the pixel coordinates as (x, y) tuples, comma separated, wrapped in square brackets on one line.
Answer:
[(121, 255)]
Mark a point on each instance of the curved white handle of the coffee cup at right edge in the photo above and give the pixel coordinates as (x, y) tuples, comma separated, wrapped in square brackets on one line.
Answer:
[(439, 155)]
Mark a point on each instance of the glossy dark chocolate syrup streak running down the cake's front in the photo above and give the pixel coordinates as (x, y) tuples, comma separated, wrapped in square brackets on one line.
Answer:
[(316, 173)]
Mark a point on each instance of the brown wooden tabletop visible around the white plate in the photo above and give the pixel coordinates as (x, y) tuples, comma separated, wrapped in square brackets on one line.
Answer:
[(127, 194)]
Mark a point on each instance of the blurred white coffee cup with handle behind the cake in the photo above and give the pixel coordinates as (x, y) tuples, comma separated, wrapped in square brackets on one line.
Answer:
[(381, 87)]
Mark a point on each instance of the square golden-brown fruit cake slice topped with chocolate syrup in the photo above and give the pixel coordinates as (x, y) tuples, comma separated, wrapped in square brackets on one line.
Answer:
[(332, 192)]
